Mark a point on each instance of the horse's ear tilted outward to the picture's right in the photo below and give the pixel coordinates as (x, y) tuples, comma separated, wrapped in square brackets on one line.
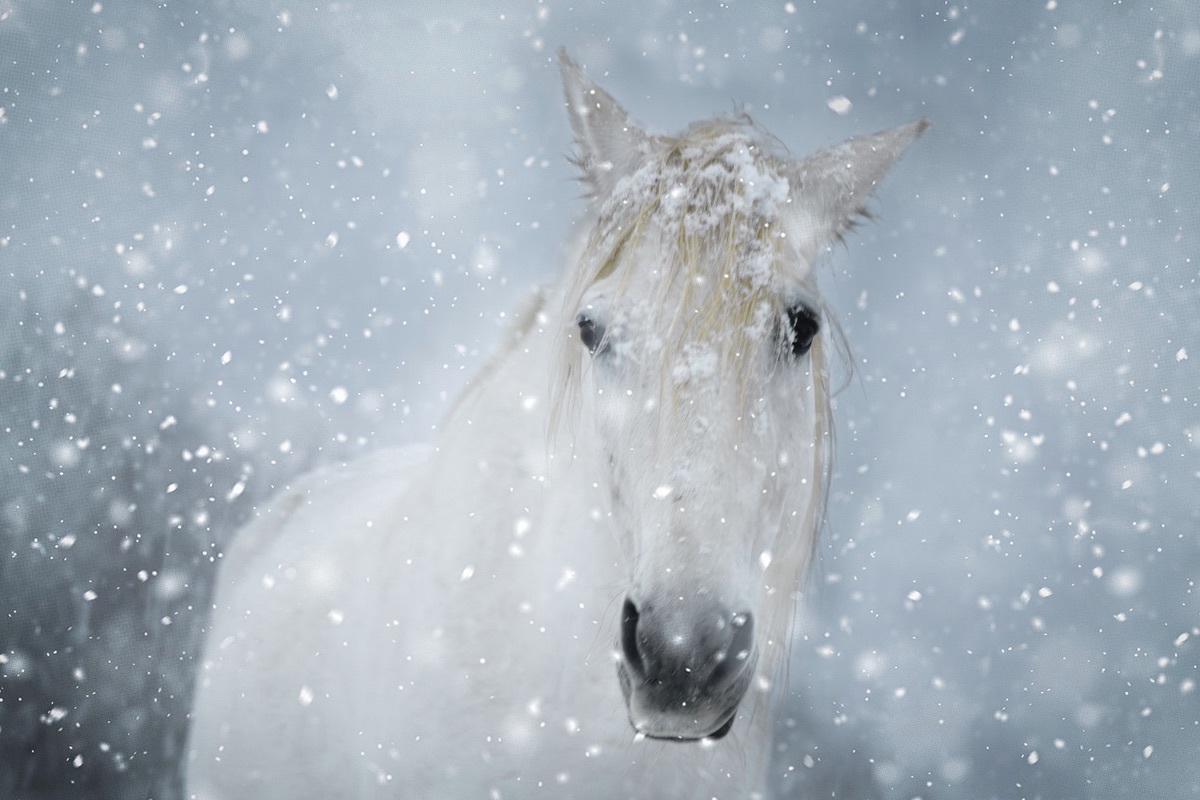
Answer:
[(833, 185)]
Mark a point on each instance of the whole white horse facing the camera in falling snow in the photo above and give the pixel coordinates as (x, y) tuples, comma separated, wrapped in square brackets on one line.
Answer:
[(585, 590)]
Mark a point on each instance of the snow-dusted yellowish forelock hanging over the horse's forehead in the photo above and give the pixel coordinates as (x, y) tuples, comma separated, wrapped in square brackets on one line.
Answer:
[(704, 219)]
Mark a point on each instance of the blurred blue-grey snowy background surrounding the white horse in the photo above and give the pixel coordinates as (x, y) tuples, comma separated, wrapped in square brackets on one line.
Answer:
[(242, 239)]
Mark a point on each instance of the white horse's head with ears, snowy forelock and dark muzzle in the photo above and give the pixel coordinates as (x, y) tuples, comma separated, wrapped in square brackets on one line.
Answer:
[(695, 350)]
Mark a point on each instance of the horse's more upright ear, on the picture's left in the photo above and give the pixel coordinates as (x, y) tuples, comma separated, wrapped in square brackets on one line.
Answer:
[(609, 145)]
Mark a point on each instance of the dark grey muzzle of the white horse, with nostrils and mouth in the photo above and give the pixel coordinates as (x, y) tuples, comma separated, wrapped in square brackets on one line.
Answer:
[(685, 670)]
